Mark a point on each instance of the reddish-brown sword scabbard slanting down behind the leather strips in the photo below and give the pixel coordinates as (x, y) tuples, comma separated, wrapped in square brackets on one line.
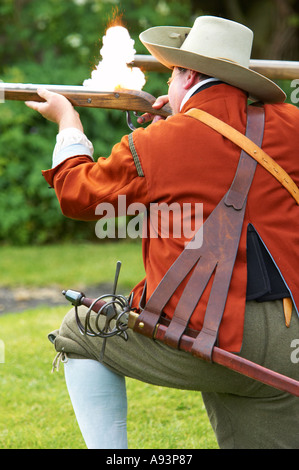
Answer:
[(239, 364)]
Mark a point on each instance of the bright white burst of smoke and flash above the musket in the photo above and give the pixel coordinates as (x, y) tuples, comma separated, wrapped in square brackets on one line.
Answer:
[(112, 72)]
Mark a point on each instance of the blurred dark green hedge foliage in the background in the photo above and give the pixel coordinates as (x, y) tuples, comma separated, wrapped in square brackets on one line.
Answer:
[(59, 43)]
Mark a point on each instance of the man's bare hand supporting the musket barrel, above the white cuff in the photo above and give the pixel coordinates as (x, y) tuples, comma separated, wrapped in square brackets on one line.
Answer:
[(56, 108)]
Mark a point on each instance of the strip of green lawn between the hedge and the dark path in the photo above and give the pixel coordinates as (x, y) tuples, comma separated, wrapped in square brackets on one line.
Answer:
[(74, 265)]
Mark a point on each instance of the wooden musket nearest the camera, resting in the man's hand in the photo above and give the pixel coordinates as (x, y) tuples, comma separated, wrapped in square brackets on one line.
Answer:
[(81, 96)]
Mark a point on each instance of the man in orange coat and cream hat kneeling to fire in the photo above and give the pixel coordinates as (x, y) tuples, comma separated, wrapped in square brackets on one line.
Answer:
[(239, 290)]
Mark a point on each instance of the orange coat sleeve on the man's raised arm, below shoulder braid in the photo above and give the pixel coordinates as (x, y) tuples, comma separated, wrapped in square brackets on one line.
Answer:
[(82, 184)]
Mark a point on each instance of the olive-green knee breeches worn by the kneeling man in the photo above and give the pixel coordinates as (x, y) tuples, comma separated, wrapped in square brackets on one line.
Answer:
[(244, 413)]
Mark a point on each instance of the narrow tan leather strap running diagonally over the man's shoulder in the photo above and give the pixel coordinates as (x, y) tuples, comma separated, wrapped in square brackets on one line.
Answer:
[(250, 147)]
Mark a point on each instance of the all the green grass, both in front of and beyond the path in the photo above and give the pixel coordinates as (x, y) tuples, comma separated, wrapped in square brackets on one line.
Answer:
[(35, 410)]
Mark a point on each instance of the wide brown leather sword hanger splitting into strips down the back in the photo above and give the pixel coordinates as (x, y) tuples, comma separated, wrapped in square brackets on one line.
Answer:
[(214, 257)]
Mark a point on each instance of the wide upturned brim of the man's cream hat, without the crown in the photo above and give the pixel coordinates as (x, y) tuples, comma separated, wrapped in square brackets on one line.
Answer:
[(259, 87)]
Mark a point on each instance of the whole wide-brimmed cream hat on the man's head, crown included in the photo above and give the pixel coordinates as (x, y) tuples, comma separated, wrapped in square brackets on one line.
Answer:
[(216, 47)]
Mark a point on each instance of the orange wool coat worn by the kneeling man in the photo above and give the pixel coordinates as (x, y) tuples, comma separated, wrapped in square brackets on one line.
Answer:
[(184, 161)]
